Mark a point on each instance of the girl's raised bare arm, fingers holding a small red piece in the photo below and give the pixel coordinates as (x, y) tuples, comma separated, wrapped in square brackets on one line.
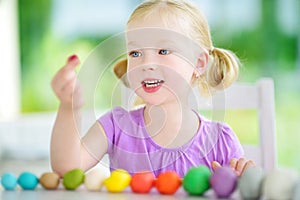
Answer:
[(67, 149)]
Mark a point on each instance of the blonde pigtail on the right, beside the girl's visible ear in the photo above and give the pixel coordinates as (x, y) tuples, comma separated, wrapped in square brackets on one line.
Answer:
[(223, 70)]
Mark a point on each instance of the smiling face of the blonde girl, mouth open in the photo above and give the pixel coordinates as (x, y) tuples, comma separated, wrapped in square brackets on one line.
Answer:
[(161, 61)]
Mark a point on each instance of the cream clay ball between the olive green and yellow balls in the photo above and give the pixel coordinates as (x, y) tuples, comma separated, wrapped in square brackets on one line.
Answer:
[(94, 179)]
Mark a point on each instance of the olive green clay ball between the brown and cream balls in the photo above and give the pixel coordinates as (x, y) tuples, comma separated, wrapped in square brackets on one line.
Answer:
[(73, 179)]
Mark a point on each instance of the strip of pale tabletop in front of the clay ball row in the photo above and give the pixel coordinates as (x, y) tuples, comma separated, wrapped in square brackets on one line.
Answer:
[(82, 193)]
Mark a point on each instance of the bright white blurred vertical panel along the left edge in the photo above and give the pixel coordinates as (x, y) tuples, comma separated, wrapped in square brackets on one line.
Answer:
[(9, 61)]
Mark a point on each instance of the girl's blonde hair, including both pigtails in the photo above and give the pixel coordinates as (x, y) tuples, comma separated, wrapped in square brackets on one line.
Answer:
[(224, 66)]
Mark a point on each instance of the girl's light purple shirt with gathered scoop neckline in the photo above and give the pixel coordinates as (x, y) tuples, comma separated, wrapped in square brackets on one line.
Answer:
[(130, 147)]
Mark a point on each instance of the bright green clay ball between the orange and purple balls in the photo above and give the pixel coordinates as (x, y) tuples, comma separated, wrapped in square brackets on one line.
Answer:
[(196, 180)]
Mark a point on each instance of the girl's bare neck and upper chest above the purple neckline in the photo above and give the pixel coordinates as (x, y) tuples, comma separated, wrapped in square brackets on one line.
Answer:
[(171, 125)]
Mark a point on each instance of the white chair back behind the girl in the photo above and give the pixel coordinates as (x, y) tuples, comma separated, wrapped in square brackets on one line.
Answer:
[(258, 96)]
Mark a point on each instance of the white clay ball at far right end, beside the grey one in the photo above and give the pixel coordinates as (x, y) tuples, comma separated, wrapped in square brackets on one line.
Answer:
[(279, 184)]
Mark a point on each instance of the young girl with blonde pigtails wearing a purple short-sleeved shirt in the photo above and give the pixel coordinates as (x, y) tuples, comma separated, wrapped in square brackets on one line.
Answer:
[(169, 52)]
